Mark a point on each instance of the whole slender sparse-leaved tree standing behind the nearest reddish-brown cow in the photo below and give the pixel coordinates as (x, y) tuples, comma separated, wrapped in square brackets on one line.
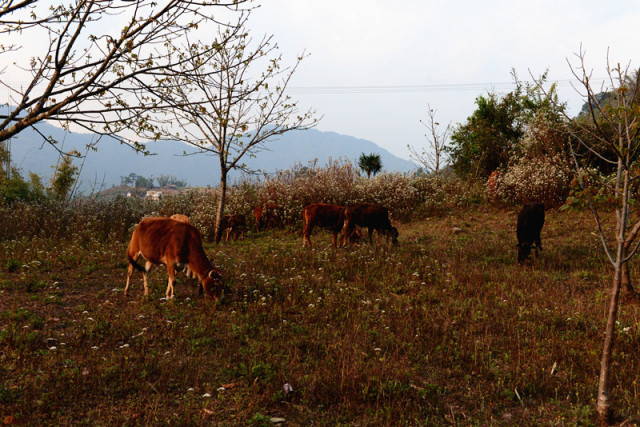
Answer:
[(231, 99)]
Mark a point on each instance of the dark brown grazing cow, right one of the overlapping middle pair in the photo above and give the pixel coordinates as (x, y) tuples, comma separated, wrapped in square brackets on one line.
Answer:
[(370, 215)]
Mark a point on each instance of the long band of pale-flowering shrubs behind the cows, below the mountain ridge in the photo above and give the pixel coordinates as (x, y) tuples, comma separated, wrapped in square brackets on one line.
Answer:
[(87, 219)]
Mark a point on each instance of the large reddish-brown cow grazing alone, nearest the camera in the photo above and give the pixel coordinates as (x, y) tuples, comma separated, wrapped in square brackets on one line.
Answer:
[(175, 244)]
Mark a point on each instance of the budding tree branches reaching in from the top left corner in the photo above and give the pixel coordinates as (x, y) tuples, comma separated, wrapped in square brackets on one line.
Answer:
[(89, 72)]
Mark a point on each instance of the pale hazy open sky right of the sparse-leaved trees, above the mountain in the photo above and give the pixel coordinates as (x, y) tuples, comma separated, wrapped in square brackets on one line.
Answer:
[(375, 65)]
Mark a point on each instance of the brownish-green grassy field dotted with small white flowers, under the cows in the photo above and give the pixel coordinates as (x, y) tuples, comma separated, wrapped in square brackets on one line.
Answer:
[(444, 329)]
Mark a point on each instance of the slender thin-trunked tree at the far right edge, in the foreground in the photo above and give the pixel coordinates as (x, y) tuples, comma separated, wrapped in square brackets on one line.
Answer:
[(611, 133)]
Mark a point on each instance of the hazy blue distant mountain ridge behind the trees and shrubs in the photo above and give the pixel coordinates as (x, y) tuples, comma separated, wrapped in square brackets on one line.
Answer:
[(114, 160)]
